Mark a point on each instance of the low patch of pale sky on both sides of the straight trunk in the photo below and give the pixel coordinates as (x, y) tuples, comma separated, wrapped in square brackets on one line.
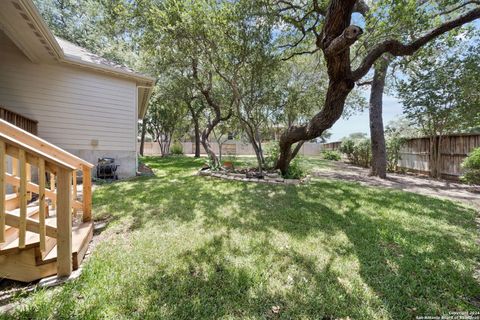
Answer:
[(392, 109)]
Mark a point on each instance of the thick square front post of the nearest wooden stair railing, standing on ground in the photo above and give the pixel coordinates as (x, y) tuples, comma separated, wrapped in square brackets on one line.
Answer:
[(64, 222)]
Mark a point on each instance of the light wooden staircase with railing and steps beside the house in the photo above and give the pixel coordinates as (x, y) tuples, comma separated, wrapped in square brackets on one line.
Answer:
[(39, 238)]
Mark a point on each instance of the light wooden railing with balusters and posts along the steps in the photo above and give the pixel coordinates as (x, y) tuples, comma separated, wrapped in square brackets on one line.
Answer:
[(27, 153)]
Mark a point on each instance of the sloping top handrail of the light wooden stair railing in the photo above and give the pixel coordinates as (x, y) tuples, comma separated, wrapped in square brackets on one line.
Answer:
[(40, 145)]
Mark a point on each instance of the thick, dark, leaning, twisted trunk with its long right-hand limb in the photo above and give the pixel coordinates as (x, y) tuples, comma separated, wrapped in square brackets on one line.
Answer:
[(335, 39)]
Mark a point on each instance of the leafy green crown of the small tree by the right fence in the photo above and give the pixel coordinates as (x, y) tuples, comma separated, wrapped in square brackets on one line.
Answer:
[(439, 94)]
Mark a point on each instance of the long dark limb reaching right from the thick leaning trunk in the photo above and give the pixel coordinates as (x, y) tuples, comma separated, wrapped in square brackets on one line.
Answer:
[(397, 48)]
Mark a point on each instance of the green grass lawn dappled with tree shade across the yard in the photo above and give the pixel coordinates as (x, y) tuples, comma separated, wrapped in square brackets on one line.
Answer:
[(180, 246)]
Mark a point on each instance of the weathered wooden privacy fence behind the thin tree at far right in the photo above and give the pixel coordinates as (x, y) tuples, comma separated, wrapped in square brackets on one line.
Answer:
[(415, 154)]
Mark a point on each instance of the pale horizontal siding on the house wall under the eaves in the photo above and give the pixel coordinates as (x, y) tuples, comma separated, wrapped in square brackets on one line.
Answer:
[(73, 107)]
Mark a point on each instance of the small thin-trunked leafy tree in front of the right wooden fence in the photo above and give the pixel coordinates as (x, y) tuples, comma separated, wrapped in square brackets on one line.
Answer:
[(434, 99)]
